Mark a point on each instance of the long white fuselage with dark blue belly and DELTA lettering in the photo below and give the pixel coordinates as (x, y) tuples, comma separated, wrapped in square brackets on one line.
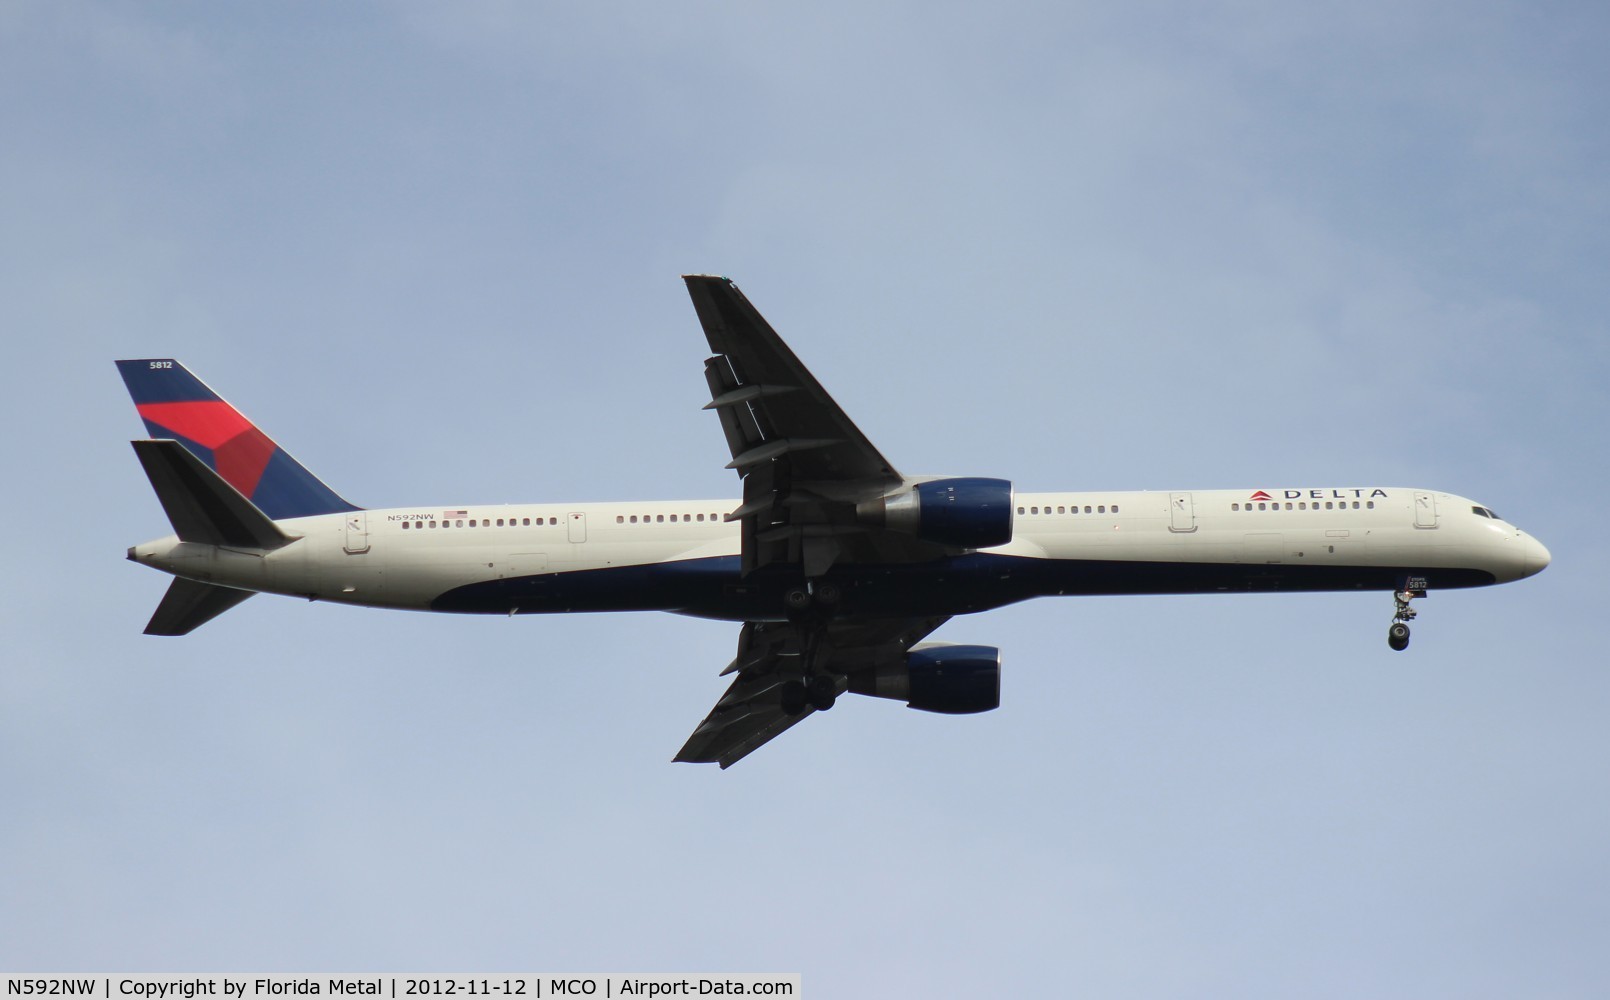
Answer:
[(682, 556)]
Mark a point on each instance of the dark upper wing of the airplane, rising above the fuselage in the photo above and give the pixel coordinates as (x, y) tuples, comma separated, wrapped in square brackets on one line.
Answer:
[(804, 463)]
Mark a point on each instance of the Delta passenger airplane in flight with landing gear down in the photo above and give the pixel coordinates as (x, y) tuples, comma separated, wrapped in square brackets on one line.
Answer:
[(836, 564)]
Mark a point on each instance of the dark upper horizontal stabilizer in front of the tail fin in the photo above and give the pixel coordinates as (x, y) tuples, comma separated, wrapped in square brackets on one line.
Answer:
[(200, 505)]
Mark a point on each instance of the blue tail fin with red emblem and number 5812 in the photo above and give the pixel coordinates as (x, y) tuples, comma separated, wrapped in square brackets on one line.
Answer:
[(178, 405)]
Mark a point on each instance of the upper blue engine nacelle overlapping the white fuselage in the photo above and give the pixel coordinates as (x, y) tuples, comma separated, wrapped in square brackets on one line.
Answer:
[(965, 513)]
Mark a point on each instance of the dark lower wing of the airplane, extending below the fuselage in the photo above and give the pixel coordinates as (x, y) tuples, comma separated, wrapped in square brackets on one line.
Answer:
[(770, 656)]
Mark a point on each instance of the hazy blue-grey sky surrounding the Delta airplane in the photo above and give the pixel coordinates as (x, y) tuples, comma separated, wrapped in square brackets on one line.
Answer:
[(436, 249)]
